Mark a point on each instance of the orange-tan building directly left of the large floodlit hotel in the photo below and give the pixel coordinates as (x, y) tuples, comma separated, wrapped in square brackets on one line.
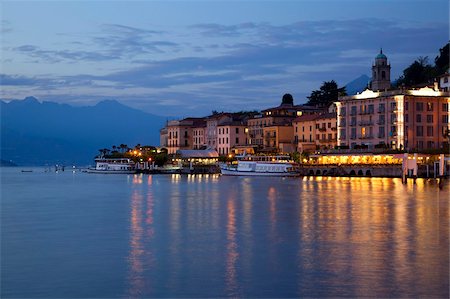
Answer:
[(312, 132)]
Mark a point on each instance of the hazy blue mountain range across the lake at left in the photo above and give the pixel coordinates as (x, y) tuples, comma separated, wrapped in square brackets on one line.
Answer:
[(35, 133)]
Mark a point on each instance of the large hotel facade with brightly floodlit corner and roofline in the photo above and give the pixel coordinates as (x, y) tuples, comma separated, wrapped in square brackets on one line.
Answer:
[(400, 119)]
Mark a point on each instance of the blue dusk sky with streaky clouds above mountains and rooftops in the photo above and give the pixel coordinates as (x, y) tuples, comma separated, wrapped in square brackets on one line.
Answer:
[(187, 58)]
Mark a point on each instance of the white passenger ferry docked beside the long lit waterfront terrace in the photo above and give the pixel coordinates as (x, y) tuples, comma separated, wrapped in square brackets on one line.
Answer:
[(261, 166)]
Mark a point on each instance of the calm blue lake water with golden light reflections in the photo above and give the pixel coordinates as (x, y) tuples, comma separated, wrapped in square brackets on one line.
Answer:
[(87, 235)]
